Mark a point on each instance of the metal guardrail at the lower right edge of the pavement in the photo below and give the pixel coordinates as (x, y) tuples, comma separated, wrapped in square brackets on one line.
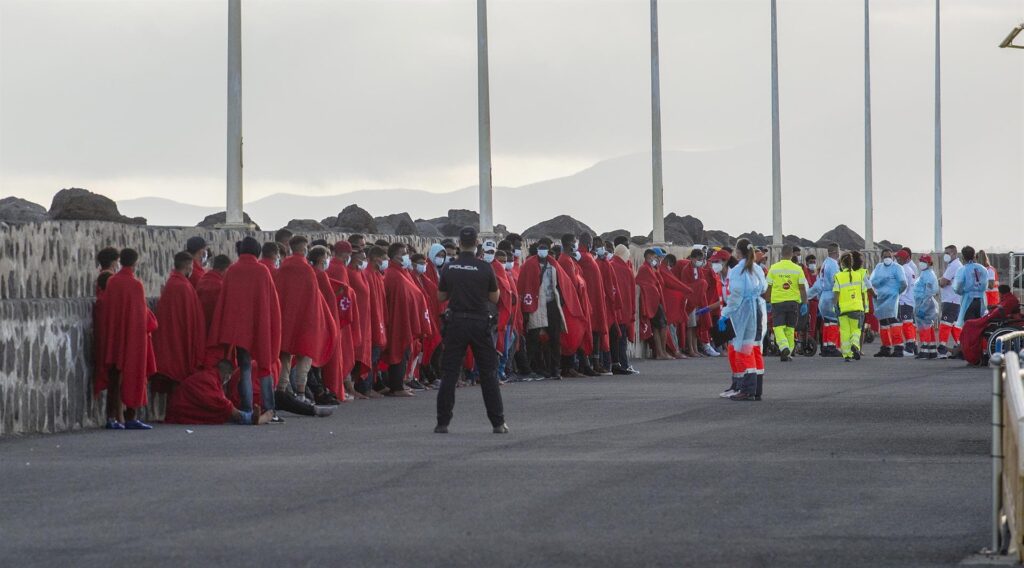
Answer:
[(1008, 450)]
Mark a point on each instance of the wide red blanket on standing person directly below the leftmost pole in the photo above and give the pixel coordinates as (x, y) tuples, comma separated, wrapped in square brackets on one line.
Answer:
[(248, 314)]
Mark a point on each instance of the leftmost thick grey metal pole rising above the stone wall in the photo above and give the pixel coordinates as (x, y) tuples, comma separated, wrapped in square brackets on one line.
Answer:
[(234, 215)]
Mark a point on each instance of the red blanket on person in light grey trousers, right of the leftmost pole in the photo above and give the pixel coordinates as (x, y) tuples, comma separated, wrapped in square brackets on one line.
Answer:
[(307, 327)]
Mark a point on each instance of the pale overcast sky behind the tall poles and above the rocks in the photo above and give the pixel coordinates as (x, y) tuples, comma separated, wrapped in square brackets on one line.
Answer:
[(129, 99)]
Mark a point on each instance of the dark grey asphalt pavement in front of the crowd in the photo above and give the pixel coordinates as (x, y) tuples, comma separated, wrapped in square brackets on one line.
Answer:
[(882, 463)]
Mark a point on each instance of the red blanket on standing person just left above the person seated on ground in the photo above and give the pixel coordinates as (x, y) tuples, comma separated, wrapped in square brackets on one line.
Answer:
[(180, 342)]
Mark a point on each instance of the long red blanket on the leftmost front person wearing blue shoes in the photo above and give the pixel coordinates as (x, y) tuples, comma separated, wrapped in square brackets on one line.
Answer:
[(127, 330)]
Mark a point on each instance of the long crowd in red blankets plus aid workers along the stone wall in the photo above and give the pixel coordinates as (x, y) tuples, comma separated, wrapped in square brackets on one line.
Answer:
[(301, 327)]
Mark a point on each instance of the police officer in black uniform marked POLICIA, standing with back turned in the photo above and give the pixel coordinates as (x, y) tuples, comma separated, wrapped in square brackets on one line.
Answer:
[(471, 289)]
